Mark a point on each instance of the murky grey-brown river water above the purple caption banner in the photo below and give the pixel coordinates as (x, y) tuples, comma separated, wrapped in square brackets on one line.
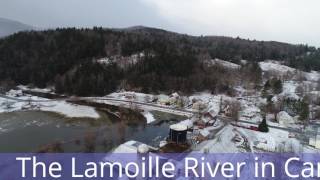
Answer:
[(29, 131)]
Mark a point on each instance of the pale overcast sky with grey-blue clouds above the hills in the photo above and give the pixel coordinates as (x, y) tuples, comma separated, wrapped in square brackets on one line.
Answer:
[(294, 21)]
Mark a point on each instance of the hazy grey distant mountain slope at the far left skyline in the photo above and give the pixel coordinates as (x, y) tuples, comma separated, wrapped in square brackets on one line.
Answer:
[(8, 27)]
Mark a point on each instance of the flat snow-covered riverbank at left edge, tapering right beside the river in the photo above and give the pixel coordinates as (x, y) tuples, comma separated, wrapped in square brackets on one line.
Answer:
[(42, 104)]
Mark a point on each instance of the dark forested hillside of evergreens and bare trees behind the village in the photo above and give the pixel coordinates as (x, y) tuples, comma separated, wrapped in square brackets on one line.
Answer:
[(66, 59)]
